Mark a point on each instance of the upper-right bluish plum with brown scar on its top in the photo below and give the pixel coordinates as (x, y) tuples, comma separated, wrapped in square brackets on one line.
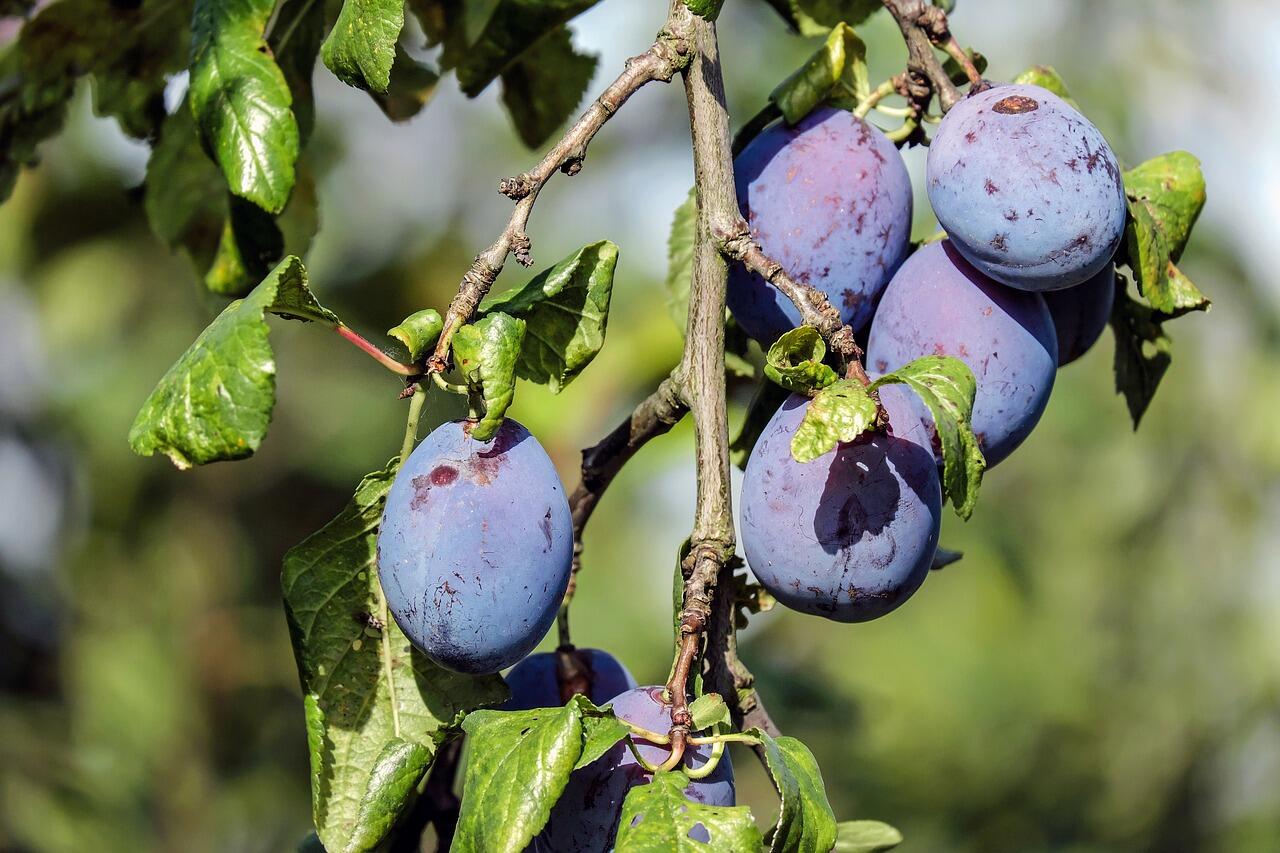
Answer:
[(1027, 189)]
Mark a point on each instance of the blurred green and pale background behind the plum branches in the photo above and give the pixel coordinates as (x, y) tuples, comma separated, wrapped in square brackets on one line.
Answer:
[(1101, 673)]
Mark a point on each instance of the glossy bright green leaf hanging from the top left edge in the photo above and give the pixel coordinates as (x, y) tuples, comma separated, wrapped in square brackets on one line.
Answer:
[(241, 101)]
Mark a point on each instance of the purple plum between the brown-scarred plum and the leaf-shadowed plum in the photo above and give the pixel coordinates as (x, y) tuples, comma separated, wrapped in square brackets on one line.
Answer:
[(939, 304)]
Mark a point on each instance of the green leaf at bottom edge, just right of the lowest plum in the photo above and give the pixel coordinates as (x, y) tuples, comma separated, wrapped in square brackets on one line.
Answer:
[(806, 822)]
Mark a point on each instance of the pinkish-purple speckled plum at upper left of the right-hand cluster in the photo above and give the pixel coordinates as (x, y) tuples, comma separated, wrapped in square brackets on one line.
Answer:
[(831, 200)]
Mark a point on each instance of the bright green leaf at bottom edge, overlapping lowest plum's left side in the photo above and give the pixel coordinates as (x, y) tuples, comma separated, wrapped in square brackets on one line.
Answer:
[(520, 763)]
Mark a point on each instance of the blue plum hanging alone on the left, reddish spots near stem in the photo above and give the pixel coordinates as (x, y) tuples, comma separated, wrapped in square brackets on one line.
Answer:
[(474, 548)]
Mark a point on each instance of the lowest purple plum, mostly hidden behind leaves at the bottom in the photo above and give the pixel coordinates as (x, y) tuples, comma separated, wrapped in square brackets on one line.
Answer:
[(586, 819)]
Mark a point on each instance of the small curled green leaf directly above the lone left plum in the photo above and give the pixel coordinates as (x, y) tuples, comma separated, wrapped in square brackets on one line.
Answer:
[(487, 353)]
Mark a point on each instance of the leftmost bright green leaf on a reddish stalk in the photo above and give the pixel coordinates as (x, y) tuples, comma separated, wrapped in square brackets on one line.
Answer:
[(216, 403)]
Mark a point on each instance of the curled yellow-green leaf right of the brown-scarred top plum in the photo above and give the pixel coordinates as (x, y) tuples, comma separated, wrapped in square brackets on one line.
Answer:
[(1165, 198)]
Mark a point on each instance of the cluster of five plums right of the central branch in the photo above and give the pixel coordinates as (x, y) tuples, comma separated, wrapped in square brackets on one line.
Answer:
[(1032, 202)]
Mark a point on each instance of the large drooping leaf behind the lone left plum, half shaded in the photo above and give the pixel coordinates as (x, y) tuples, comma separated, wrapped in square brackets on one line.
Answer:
[(367, 688)]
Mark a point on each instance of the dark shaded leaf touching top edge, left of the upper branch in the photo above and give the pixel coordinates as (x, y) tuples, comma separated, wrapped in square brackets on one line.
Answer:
[(514, 28)]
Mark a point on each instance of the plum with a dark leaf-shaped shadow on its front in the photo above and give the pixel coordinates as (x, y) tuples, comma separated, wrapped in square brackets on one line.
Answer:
[(852, 535)]
